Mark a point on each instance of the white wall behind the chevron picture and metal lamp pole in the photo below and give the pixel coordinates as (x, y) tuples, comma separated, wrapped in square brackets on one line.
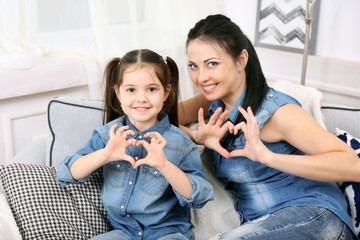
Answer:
[(335, 67)]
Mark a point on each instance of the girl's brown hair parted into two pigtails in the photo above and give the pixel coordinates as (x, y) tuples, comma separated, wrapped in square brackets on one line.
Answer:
[(165, 69)]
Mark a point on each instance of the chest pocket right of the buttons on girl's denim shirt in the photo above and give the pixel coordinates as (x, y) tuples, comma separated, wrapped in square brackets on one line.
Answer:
[(153, 183)]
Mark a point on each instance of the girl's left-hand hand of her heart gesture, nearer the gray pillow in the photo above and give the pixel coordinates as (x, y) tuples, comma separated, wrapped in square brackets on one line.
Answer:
[(115, 149)]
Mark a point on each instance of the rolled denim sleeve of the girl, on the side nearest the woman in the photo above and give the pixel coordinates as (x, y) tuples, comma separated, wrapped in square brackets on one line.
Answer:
[(202, 189)]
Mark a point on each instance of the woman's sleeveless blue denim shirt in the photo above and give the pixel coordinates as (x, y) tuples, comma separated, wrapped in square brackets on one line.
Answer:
[(259, 189)]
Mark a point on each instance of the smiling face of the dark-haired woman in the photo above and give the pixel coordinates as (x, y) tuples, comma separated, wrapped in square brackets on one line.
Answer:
[(215, 73)]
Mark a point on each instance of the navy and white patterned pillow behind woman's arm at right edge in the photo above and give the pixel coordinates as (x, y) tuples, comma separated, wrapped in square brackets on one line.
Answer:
[(351, 190)]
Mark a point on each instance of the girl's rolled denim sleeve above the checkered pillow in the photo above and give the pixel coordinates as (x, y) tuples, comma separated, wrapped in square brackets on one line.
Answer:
[(63, 174)]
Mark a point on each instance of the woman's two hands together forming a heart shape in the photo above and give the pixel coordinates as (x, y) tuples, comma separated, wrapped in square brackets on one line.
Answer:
[(211, 133)]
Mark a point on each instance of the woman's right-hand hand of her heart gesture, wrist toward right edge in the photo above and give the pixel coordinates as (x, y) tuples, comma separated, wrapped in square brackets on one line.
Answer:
[(254, 148)]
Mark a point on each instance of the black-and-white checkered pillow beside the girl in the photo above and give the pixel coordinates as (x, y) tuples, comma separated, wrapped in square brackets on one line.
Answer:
[(44, 210)]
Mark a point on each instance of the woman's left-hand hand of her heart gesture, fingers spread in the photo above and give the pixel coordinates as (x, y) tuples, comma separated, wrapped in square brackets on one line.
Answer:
[(210, 134)]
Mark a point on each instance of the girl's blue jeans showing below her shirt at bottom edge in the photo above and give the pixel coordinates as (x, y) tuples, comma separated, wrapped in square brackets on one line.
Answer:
[(121, 235)]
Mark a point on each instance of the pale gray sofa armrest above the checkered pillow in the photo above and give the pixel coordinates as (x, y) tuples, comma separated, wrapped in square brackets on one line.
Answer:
[(35, 153)]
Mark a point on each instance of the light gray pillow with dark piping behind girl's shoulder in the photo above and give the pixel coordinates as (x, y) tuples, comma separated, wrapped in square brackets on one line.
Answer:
[(71, 122)]
